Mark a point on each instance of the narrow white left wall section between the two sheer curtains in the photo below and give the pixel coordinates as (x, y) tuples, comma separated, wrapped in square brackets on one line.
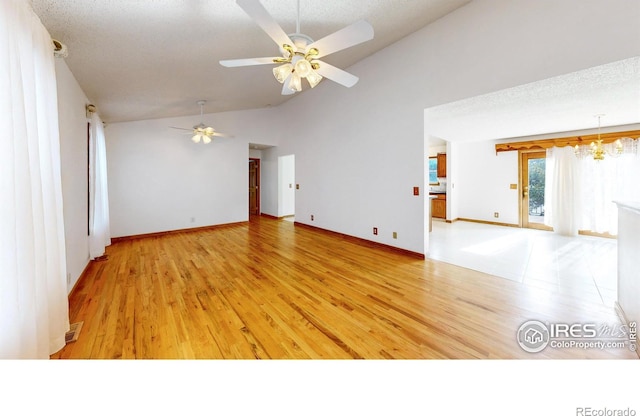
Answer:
[(73, 154)]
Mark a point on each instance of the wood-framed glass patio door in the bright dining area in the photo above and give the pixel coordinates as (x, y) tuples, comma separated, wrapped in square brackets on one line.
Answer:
[(532, 184)]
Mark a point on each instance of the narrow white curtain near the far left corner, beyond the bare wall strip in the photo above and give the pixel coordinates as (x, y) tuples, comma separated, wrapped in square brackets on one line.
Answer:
[(99, 232)]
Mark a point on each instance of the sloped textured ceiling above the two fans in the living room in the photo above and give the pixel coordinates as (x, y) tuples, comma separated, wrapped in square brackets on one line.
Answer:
[(150, 59)]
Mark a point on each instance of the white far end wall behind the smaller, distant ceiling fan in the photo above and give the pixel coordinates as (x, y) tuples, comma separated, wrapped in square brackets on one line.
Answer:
[(160, 180)]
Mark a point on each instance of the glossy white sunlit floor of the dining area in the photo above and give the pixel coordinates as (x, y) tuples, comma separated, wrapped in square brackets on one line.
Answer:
[(583, 267)]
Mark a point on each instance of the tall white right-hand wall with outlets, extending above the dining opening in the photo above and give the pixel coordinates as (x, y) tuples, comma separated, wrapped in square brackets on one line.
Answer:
[(363, 149)]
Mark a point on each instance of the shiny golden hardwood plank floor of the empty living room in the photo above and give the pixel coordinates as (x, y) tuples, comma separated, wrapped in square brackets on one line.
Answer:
[(273, 289)]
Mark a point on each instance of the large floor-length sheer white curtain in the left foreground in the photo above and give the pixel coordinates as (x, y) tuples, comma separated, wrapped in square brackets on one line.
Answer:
[(33, 290)]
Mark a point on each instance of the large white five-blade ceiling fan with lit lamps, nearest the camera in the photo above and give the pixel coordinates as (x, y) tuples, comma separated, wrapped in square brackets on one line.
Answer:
[(300, 55)]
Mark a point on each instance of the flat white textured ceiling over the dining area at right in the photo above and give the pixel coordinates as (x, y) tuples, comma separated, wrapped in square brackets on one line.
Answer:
[(564, 103)]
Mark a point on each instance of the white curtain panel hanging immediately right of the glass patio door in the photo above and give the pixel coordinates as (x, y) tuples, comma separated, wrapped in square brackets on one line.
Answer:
[(562, 191)]
